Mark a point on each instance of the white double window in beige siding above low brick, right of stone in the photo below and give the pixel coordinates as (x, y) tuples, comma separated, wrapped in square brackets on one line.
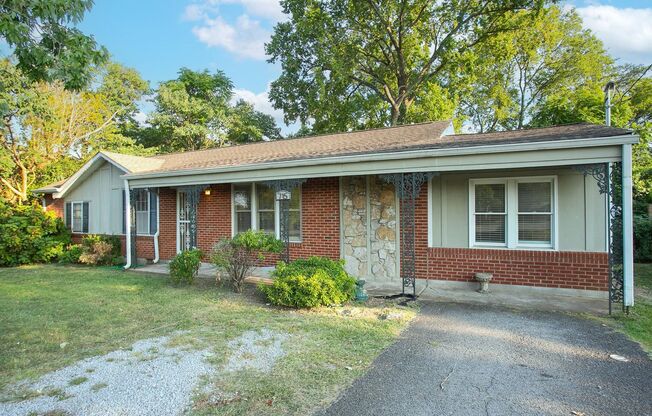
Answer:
[(512, 212)]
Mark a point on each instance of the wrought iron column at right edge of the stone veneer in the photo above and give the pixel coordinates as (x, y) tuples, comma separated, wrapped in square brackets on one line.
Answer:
[(408, 186)]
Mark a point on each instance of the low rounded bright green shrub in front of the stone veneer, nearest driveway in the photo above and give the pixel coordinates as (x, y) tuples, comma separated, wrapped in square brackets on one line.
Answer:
[(307, 283)]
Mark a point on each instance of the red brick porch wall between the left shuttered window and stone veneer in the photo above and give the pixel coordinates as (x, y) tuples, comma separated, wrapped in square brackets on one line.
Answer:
[(320, 220)]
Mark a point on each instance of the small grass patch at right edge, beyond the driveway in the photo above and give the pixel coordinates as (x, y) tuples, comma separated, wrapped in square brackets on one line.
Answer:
[(638, 324)]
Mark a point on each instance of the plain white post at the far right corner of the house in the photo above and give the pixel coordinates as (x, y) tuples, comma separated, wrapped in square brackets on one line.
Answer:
[(628, 228)]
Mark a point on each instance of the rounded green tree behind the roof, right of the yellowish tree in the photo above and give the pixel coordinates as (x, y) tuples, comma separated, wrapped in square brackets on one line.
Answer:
[(191, 112)]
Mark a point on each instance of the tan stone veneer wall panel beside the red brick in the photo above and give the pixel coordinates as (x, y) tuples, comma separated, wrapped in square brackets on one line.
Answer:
[(369, 231)]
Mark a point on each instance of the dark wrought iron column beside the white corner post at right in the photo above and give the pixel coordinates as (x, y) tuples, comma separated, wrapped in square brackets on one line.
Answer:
[(608, 178)]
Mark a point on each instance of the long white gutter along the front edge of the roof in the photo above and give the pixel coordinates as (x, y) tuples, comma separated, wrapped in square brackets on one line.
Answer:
[(405, 154)]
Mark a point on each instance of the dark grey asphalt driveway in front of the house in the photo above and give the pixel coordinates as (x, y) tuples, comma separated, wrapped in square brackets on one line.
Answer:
[(481, 360)]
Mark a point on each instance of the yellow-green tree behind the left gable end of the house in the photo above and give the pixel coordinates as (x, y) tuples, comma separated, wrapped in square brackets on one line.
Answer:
[(47, 131)]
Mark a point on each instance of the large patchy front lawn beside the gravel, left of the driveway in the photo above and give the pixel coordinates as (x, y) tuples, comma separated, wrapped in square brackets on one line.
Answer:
[(52, 316)]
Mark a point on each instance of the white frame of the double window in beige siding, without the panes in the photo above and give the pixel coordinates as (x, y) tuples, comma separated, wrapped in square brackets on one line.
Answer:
[(511, 219)]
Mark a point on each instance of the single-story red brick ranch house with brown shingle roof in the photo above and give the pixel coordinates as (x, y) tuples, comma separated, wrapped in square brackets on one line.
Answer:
[(533, 207)]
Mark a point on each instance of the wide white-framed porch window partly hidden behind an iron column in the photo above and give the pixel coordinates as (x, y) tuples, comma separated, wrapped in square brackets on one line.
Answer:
[(255, 207)]
